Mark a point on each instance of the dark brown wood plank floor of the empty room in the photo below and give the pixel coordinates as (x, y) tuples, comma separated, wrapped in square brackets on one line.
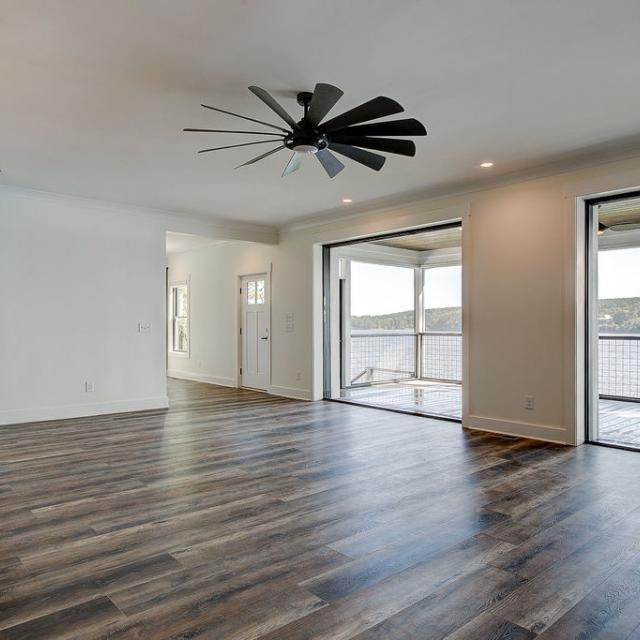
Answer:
[(237, 515)]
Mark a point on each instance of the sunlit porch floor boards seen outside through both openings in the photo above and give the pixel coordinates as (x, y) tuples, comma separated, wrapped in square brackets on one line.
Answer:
[(619, 420)]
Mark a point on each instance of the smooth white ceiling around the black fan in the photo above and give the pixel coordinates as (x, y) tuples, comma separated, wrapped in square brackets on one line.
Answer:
[(94, 94)]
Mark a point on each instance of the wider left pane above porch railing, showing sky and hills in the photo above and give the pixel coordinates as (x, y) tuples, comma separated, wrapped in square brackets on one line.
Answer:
[(382, 298)]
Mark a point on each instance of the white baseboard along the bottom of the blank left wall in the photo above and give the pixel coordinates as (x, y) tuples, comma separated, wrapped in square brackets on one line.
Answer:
[(20, 416)]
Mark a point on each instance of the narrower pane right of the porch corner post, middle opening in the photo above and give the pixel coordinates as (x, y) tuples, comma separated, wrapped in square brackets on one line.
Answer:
[(442, 296)]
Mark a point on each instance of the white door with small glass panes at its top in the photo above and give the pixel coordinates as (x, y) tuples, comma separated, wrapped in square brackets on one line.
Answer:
[(256, 332)]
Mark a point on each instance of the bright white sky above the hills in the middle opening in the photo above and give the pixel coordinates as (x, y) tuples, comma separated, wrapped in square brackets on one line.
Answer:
[(381, 289)]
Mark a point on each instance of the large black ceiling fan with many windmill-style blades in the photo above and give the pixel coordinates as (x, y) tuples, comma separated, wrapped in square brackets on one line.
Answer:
[(344, 134)]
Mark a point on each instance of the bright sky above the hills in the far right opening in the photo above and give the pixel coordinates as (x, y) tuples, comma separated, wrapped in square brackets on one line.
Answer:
[(619, 273)]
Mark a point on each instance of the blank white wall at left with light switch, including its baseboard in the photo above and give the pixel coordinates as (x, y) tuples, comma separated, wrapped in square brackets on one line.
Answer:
[(75, 281)]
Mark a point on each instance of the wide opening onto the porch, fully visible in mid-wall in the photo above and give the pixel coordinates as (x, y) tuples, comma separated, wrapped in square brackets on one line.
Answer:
[(393, 330)]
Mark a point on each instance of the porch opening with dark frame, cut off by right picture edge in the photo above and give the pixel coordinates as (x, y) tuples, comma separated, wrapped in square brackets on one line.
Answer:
[(613, 321)]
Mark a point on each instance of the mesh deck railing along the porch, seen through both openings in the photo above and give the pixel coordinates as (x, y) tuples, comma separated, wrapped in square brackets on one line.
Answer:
[(394, 356)]
